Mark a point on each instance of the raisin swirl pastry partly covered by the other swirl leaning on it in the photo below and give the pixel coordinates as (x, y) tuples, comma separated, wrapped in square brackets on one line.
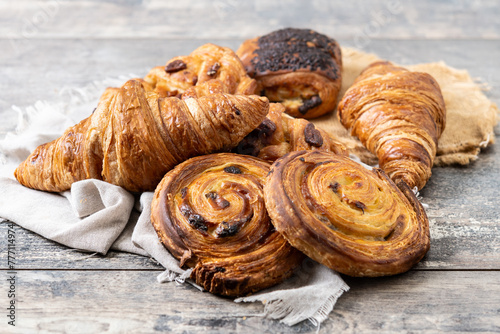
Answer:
[(209, 213)]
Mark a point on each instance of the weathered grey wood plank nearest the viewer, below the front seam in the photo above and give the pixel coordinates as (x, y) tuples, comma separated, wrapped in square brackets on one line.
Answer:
[(132, 301)]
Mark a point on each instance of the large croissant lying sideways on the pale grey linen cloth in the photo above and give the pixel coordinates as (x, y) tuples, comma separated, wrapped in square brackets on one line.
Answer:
[(134, 137)]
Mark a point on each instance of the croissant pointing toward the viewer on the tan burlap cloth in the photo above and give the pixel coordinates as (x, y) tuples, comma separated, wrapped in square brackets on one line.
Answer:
[(399, 116)]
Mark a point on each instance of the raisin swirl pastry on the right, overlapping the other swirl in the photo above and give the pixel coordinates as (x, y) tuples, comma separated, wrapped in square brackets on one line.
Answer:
[(352, 219)]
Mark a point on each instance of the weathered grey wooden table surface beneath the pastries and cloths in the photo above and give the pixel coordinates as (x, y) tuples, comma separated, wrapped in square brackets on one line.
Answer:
[(50, 44)]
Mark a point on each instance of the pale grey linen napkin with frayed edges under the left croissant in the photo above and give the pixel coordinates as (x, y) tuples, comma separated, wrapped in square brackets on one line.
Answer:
[(96, 216)]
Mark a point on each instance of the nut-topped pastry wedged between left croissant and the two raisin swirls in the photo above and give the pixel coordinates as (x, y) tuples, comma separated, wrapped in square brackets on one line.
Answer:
[(280, 134)]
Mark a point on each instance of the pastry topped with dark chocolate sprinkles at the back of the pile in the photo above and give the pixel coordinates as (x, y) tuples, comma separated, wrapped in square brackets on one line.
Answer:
[(300, 68)]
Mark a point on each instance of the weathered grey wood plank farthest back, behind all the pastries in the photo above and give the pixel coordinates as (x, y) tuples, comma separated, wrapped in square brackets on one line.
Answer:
[(235, 19)]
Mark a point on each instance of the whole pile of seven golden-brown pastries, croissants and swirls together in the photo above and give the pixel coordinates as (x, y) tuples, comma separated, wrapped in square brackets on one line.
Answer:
[(245, 186)]
